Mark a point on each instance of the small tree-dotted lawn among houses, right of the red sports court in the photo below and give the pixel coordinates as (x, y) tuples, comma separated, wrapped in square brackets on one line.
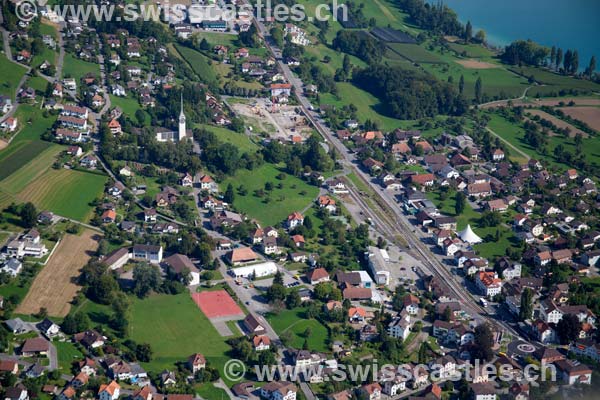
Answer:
[(295, 321)]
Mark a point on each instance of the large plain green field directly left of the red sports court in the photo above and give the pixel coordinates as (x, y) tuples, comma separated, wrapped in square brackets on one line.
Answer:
[(175, 328)]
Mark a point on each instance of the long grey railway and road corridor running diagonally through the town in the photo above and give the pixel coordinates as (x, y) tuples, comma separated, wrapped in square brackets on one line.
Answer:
[(395, 223)]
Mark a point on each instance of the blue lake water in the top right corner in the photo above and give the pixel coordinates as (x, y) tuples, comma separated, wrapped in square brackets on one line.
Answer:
[(572, 24)]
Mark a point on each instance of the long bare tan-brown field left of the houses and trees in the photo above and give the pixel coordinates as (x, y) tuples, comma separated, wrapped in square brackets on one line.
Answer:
[(54, 286)]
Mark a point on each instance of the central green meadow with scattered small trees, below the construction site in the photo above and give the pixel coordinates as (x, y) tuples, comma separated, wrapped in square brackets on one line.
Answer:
[(275, 205)]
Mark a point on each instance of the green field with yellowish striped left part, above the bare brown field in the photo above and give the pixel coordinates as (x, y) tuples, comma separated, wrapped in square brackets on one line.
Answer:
[(65, 192)]
